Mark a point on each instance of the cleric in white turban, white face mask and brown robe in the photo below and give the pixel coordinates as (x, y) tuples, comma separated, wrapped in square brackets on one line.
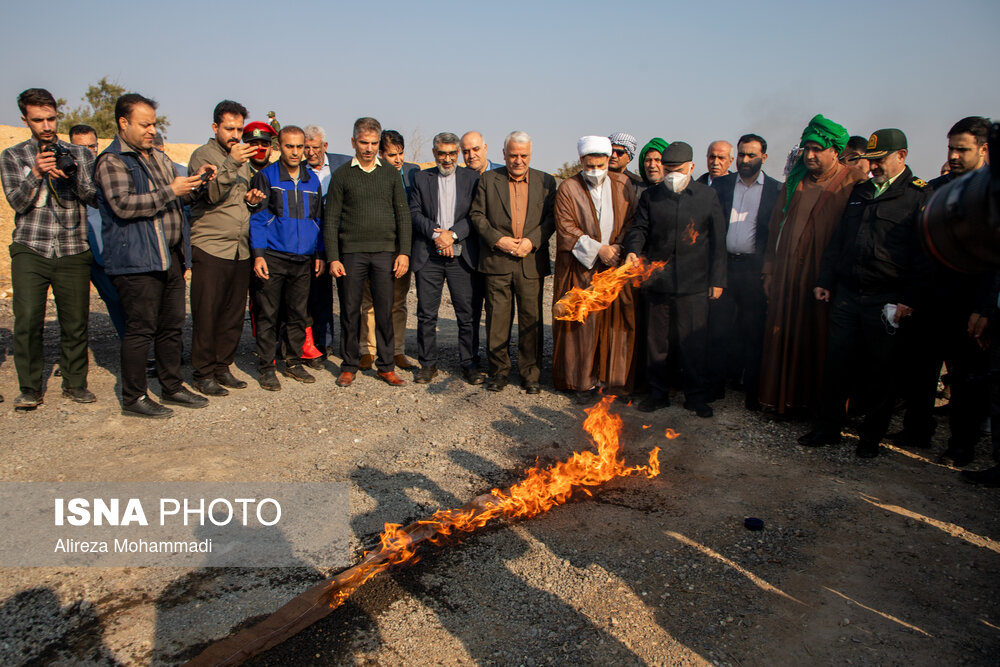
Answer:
[(593, 210)]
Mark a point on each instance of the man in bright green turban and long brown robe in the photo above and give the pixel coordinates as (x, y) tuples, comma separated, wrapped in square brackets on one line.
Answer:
[(809, 207)]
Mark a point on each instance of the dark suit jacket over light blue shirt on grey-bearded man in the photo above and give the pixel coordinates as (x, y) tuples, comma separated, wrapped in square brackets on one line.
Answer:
[(424, 209)]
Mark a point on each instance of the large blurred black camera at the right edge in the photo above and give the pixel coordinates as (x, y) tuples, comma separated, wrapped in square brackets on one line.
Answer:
[(960, 226)]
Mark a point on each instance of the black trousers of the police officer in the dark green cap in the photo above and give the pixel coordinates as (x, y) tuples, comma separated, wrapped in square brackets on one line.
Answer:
[(860, 347)]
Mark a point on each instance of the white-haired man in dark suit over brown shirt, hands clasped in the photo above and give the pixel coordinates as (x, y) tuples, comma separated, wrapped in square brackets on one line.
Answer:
[(512, 211)]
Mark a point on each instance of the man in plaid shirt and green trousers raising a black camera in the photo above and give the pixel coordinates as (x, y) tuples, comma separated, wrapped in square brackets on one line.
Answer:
[(48, 183)]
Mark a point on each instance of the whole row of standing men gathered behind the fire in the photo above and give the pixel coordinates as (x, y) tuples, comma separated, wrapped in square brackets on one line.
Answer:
[(814, 296)]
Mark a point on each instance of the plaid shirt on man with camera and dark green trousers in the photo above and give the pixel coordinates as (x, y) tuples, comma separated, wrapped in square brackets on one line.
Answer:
[(50, 214)]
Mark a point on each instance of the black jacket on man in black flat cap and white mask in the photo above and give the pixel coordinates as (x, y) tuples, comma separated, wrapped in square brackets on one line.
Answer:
[(685, 229)]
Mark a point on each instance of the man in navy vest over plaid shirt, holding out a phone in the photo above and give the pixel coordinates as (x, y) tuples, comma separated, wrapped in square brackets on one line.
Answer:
[(141, 203)]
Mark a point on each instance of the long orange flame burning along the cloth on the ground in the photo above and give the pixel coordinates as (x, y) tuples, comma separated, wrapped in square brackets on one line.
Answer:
[(541, 489)]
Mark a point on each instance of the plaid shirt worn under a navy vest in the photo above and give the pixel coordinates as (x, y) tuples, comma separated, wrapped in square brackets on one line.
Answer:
[(160, 203)]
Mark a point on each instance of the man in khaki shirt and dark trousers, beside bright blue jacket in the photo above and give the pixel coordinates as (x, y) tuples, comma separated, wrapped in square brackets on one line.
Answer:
[(220, 251)]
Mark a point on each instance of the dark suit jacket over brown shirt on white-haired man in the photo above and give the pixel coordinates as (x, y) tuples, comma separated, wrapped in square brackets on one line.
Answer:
[(490, 214)]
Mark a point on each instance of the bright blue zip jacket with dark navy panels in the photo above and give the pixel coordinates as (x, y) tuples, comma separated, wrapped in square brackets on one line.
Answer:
[(292, 222)]
